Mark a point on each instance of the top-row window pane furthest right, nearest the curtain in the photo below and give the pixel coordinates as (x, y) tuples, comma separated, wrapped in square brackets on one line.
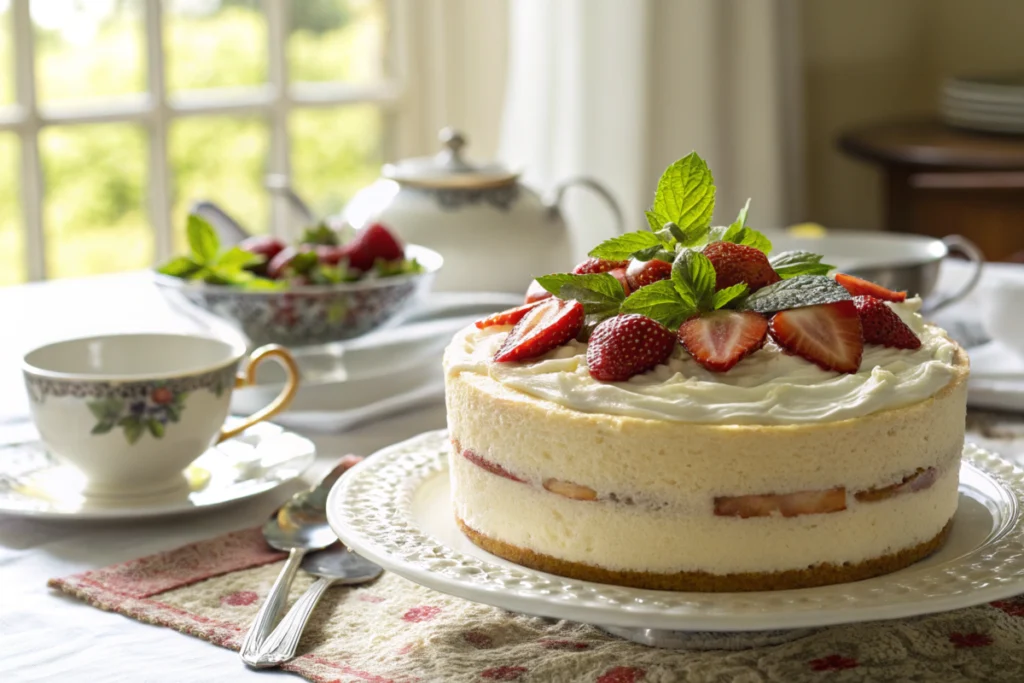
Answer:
[(338, 40)]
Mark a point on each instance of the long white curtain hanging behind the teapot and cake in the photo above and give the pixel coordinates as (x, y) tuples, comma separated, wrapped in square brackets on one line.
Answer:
[(619, 90)]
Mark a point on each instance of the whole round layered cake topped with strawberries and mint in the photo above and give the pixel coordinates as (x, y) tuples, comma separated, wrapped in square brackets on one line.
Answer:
[(684, 412)]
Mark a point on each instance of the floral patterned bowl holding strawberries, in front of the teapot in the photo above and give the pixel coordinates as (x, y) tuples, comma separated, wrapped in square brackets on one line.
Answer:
[(314, 315)]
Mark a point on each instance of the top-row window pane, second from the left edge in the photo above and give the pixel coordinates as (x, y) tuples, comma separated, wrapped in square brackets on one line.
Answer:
[(86, 51)]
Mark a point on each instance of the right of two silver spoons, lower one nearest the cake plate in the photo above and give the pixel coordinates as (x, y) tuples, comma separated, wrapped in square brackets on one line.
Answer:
[(335, 566)]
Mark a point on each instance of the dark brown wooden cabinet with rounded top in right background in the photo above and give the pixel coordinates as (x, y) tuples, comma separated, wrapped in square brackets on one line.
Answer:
[(941, 182)]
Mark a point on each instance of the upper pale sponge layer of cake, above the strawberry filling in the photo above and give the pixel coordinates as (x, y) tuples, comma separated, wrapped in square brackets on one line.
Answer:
[(671, 461)]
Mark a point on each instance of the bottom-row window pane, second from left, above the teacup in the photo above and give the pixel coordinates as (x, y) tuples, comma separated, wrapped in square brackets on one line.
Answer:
[(95, 207)]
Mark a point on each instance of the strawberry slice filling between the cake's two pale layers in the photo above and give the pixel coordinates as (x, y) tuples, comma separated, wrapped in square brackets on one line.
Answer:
[(758, 505)]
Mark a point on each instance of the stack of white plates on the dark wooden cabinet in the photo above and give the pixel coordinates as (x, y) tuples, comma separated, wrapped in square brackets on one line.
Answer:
[(987, 104)]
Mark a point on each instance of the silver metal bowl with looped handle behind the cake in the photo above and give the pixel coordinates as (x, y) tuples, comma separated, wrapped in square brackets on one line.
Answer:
[(897, 261)]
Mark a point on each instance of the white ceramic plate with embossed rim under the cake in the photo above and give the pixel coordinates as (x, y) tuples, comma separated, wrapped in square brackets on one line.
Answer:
[(394, 509)]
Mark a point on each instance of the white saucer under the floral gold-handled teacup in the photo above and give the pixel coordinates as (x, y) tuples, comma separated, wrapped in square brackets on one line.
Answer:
[(36, 484)]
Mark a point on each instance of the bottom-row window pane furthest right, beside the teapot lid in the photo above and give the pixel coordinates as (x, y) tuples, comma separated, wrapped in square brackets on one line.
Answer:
[(335, 153)]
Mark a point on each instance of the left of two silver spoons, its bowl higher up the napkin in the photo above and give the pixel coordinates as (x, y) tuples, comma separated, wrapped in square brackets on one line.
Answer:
[(298, 527)]
